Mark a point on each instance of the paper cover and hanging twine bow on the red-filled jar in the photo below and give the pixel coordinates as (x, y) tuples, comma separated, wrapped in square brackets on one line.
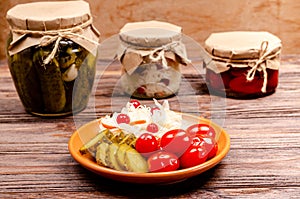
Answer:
[(243, 49)]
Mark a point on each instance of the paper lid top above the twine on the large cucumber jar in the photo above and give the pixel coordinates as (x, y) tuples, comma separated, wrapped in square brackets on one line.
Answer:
[(44, 16)]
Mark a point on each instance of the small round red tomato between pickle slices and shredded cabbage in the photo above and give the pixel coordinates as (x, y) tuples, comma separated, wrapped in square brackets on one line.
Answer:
[(146, 143)]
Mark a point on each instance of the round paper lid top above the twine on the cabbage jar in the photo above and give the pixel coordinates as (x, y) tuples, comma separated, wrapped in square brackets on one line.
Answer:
[(150, 33)]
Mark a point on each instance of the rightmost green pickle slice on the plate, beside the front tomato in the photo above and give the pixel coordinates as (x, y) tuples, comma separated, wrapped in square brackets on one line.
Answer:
[(135, 161)]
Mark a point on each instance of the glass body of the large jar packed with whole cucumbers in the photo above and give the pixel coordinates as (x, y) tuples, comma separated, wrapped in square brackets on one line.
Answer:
[(60, 87)]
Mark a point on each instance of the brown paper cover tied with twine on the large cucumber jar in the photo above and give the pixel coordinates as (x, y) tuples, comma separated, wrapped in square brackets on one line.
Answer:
[(31, 25)]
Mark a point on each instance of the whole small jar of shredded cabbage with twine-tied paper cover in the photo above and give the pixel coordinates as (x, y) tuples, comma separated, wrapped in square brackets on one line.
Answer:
[(151, 53)]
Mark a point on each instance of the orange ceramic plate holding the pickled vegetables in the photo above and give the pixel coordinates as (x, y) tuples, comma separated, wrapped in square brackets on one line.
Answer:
[(89, 130)]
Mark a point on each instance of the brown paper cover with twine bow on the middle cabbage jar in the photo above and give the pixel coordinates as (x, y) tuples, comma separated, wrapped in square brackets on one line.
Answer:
[(156, 40)]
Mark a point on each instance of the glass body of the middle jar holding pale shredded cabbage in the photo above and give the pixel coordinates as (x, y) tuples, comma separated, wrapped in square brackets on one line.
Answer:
[(152, 80)]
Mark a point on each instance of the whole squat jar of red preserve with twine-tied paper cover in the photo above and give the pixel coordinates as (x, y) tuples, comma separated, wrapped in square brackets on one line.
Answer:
[(244, 63)]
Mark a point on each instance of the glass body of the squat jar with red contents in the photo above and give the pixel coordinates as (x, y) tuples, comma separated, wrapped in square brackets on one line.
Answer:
[(233, 82)]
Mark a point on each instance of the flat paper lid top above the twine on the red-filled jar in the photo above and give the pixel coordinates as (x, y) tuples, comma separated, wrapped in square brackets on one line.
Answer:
[(241, 44)]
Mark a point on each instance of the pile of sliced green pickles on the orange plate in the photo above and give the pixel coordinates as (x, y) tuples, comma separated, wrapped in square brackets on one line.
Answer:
[(115, 150)]
